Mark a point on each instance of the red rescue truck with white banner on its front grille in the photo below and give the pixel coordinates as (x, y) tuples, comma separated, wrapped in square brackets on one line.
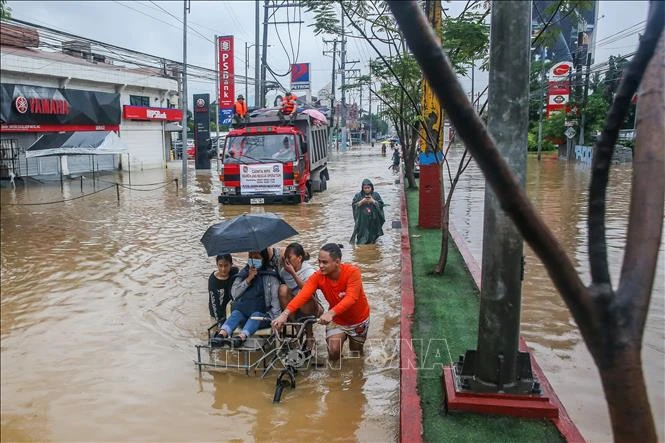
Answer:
[(266, 162)]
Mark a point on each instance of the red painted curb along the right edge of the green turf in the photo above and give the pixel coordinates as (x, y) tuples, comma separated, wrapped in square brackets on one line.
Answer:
[(563, 423)]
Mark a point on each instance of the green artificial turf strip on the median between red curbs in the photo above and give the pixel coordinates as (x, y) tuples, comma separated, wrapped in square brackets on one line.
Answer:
[(447, 309)]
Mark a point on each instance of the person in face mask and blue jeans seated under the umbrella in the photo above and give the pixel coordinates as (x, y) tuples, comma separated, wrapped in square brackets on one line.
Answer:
[(255, 293)]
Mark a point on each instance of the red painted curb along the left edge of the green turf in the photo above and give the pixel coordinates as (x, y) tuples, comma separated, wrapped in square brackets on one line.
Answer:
[(410, 414)]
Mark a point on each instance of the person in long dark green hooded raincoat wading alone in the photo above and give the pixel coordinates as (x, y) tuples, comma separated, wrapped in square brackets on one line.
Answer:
[(367, 208)]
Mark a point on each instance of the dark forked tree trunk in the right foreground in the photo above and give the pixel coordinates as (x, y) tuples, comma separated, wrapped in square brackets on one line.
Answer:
[(610, 321)]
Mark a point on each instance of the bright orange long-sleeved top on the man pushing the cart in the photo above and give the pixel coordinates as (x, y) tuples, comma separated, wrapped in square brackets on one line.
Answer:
[(345, 295)]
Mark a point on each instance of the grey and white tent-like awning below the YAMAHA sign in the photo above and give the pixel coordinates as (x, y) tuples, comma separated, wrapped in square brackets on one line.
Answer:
[(77, 143)]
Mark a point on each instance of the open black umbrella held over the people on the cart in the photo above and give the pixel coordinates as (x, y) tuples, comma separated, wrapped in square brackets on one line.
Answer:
[(247, 232)]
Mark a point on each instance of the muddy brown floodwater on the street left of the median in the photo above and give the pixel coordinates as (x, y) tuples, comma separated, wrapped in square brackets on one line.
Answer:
[(102, 304)]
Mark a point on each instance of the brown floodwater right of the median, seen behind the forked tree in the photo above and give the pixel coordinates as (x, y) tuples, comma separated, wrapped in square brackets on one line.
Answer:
[(559, 190)]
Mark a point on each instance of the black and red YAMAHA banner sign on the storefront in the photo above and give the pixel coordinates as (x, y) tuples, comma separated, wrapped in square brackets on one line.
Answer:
[(35, 105)]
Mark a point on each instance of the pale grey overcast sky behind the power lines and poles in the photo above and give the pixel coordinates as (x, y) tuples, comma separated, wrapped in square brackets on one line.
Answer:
[(144, 27)]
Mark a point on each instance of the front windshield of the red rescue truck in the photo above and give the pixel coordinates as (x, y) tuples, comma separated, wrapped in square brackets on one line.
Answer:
[(263, 148)]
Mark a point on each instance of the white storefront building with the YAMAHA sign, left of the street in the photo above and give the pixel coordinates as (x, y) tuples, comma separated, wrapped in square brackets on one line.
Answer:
[(50, 92)]
